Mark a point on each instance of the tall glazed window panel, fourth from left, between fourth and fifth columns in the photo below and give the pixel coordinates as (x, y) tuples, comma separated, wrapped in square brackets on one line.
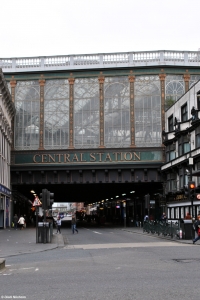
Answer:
[(116, 112)]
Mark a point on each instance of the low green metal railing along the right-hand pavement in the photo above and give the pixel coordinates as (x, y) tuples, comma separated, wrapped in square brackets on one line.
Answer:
[(162, 228)]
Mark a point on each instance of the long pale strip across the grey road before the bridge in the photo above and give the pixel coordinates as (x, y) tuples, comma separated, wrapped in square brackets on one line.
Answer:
[(126, 245)]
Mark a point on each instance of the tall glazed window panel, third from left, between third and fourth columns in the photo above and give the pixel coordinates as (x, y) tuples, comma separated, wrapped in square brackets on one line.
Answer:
[(86, 113)]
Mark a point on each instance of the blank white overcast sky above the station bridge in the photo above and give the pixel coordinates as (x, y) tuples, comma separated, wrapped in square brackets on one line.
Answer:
[(62, 27)]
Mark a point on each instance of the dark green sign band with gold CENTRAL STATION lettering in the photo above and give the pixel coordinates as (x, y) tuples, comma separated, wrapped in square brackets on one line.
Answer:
[(72, 157)]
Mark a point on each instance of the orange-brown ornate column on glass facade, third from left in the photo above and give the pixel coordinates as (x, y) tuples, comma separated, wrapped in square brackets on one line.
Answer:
[(71, 112)]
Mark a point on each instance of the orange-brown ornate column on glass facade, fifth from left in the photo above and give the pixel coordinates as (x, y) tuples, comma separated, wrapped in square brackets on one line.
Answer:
[(132, 114)]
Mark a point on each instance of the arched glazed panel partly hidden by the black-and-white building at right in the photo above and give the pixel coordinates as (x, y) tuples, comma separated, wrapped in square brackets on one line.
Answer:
[(174, 87)]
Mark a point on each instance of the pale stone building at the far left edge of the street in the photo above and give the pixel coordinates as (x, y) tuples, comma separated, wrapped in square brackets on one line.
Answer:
[(7, 111)]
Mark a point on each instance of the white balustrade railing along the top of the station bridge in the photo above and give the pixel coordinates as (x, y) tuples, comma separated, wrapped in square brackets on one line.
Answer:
[(109, 60)]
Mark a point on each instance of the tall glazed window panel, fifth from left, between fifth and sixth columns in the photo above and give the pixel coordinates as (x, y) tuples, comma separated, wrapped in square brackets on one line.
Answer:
[(147, 111)]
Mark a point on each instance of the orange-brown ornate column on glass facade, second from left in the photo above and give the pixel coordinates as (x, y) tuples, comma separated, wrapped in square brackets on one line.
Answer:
[(41, 141)]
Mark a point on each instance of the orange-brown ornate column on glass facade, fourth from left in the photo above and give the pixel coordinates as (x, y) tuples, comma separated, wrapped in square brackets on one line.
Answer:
[(101, 110)]
